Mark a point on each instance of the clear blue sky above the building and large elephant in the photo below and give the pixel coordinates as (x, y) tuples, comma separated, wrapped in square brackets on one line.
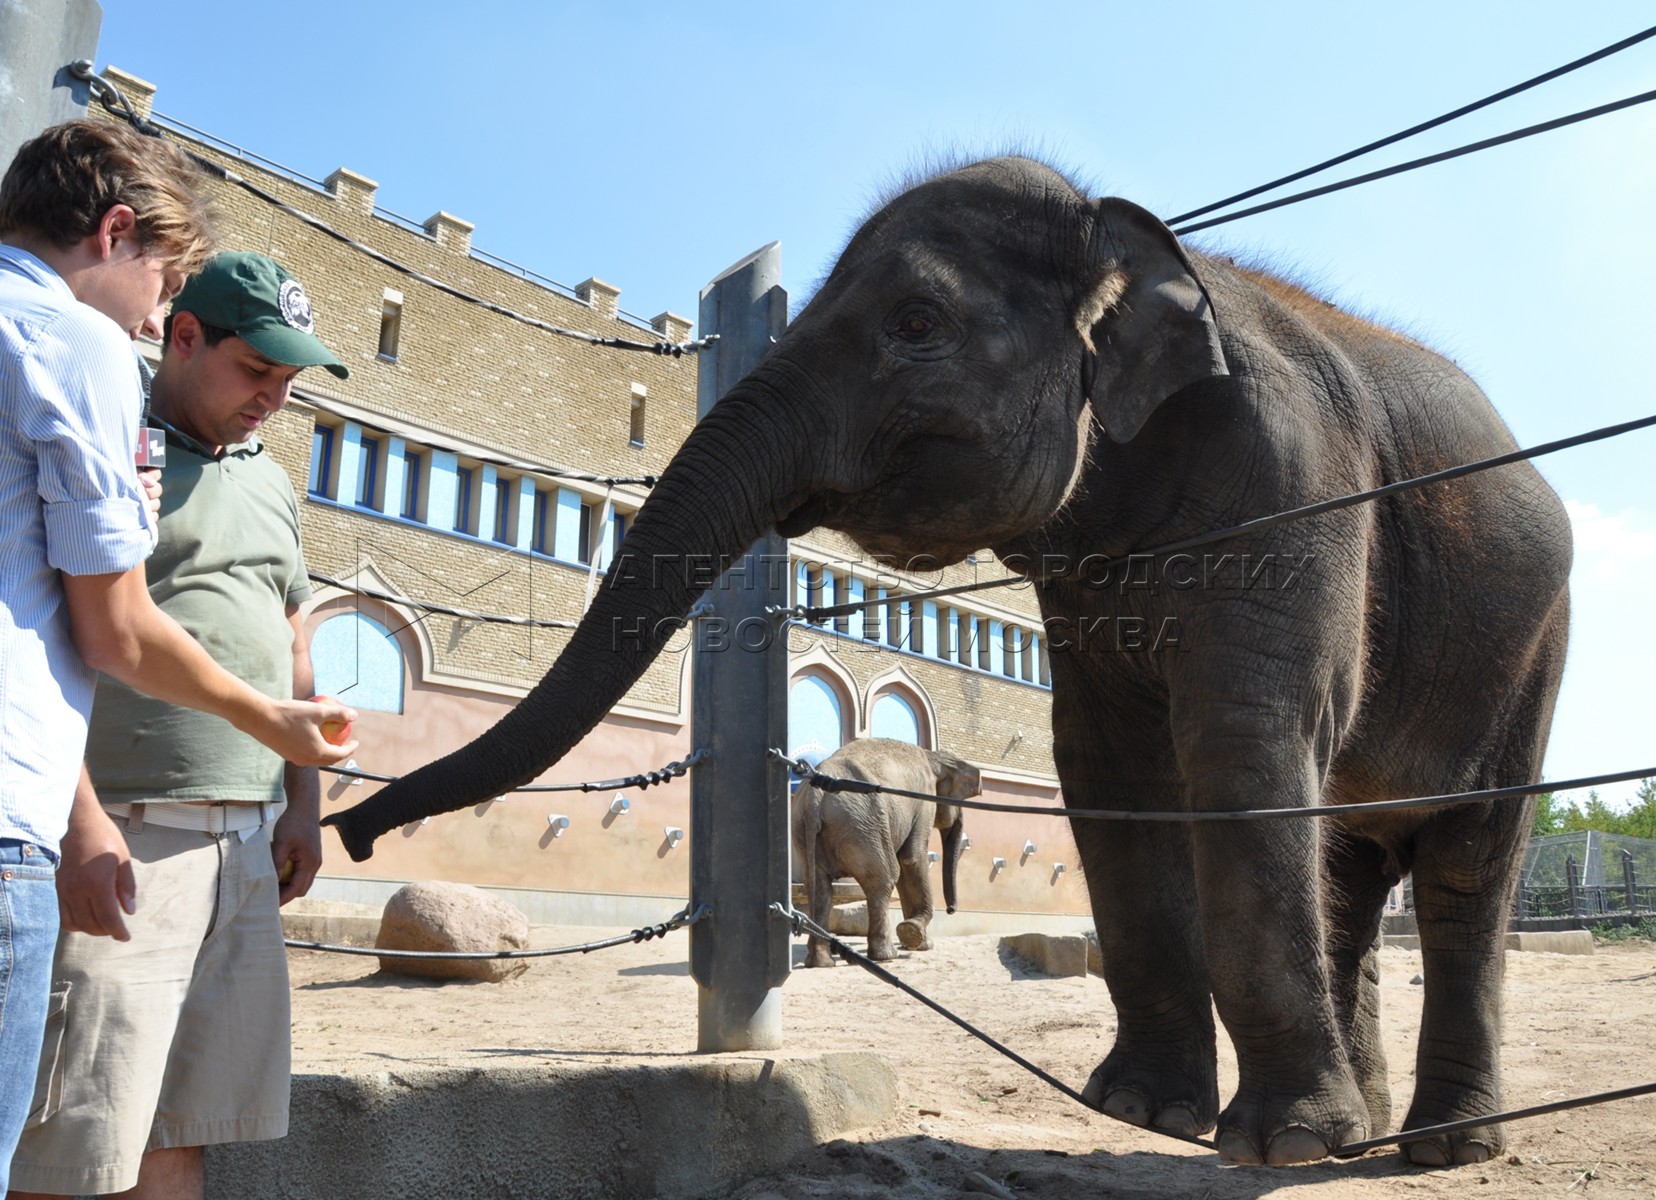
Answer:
[(655, 148)]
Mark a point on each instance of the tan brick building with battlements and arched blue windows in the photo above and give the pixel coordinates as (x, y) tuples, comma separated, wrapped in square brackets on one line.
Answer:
[(450, 471)]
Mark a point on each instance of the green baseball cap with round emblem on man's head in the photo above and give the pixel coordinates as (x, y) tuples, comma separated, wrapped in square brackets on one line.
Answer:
[(262, 305)]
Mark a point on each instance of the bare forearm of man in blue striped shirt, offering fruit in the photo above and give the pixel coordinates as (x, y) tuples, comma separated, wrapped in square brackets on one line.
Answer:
[(120, 631)]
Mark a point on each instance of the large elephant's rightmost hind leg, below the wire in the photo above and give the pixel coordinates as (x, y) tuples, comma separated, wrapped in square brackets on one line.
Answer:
[(1461, 905)]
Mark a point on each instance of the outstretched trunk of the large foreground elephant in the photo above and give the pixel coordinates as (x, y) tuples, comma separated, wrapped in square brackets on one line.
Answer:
[(733, 479)]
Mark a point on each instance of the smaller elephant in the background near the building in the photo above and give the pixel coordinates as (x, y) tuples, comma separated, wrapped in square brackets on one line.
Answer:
[(880, 840)]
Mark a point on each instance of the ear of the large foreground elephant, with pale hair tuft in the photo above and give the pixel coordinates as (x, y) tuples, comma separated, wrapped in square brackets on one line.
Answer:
[(1147, 322)]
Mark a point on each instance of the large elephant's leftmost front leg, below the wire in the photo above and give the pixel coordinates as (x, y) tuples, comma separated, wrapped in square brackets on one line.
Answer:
[(1162, 1070)]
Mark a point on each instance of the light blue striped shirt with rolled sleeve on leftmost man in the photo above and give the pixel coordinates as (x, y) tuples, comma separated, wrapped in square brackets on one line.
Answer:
[(69, 502)]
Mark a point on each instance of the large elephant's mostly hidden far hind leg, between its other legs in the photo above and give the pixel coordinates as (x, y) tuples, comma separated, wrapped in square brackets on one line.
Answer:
[(1359, 881)]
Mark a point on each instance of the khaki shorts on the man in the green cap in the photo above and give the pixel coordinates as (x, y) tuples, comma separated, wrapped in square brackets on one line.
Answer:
[(180, 1037)]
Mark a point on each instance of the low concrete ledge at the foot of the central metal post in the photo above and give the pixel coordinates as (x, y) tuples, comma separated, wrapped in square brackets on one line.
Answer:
[(695, 1128)]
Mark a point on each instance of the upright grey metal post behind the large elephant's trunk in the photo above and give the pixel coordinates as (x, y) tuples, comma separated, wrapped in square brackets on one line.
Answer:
[(739, 797)]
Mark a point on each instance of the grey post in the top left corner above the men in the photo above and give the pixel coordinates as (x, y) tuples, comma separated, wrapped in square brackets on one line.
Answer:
[(39, 41)]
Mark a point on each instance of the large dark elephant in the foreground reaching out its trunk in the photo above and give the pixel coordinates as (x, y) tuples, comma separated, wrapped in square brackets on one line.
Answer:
[(1001, 360)]
